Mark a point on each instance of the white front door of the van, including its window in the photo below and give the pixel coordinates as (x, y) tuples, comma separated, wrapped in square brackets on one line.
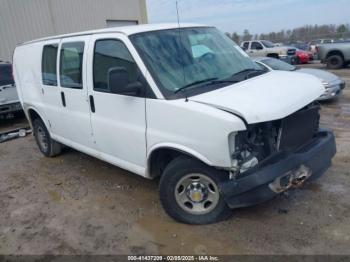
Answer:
[(118, 118)]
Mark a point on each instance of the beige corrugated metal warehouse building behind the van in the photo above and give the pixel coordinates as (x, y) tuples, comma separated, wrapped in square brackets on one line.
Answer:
[(23, 20)]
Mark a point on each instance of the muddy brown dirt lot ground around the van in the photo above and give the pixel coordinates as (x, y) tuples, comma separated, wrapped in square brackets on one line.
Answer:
[(75, 204)]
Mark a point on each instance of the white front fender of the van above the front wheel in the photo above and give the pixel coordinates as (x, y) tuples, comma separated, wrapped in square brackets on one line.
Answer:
[(199, 130)]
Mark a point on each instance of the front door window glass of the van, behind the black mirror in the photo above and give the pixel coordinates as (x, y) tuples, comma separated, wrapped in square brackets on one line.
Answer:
[(111, 54)]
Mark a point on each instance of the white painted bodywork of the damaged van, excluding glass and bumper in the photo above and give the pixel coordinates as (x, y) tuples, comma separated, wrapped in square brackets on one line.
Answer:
[(125, 131)]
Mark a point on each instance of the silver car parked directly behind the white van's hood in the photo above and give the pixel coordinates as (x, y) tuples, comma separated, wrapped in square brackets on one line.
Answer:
[(332, 83)]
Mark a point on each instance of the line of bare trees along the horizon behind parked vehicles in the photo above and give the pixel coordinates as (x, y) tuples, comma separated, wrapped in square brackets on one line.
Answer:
[(305, 34)]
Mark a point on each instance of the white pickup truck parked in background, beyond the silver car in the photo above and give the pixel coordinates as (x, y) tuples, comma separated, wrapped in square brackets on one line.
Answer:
[(266, 48)]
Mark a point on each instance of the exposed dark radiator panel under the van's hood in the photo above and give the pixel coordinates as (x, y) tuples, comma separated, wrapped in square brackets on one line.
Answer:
[(298, 128)]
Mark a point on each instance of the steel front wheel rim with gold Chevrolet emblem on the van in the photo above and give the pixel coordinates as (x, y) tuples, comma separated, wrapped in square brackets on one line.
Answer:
[(197, 194)]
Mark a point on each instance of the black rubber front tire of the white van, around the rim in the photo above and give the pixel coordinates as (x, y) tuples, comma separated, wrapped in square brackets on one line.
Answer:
[(173, 173)]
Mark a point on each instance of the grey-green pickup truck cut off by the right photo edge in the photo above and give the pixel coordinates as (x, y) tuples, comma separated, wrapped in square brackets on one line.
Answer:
[(335, 55)]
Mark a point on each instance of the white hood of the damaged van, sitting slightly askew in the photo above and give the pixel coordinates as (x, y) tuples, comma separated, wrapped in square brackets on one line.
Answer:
[(267, 97)]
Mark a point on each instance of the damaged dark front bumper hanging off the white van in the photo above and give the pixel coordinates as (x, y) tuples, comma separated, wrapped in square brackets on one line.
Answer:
[(281, 172)]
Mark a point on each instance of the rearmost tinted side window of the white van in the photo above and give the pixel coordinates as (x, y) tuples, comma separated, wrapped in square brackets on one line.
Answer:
[(48, 65)]
